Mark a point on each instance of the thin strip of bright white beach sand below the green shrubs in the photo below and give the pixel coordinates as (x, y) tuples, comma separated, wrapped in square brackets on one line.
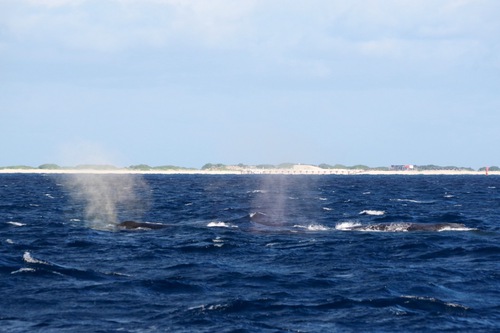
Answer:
[(297, 170)]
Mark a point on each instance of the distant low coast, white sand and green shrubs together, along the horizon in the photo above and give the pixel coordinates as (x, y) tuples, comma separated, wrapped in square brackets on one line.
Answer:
[(220, 169)]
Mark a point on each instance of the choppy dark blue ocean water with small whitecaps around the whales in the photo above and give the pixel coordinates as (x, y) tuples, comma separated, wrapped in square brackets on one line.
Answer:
[(249, 253)]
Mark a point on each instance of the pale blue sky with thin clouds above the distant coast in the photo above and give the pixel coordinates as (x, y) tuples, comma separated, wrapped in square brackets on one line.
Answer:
[(189, 82)]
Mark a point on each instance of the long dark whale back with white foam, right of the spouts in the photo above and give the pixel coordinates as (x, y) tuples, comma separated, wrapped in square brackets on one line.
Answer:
[(407, 227)]
